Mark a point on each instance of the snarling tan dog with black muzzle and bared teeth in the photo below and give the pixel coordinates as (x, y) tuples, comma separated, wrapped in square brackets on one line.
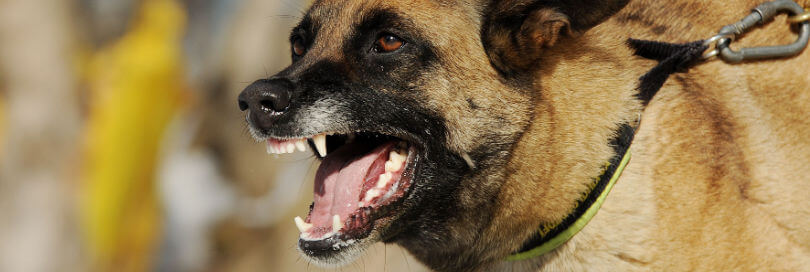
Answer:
[(459, 128)]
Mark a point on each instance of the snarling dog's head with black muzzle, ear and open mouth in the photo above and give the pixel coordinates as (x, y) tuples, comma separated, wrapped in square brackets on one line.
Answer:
[(415, 108)]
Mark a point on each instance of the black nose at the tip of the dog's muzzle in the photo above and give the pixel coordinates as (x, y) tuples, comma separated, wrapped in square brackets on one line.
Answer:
[(270, 96)]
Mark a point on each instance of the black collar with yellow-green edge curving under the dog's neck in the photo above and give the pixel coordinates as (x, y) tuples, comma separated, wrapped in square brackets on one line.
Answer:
[(551, 236)]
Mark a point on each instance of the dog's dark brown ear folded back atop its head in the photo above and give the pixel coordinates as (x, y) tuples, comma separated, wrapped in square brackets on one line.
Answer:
[(515, 32)]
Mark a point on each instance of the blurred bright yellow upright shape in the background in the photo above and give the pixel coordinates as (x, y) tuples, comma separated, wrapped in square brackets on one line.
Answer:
[(137, 87)]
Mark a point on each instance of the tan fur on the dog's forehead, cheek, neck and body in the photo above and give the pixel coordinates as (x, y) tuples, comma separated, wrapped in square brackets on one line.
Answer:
[(720, 174)]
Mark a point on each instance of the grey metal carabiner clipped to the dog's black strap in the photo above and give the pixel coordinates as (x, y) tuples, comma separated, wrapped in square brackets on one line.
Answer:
[(761, 14)]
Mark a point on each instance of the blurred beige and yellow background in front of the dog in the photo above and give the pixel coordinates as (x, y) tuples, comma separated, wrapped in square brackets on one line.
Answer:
[(122, 147)]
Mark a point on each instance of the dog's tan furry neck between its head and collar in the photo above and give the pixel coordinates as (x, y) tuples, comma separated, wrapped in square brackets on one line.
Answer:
[(557, 174)]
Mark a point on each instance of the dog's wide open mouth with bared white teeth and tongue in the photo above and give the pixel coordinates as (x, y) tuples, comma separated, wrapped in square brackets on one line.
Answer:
[(362, 179)]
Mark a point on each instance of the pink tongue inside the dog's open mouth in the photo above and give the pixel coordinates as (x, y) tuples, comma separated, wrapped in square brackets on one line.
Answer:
[(339, 182)]
